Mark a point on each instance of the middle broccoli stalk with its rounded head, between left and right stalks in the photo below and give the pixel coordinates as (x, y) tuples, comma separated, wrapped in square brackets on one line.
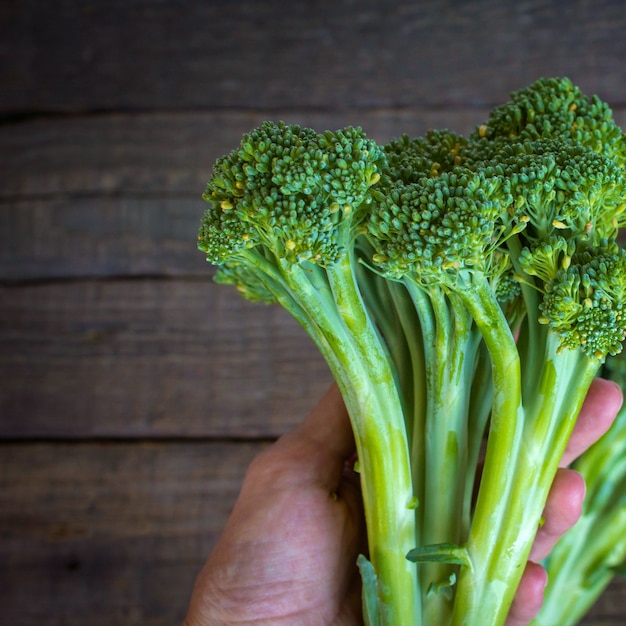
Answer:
[(450, 288)]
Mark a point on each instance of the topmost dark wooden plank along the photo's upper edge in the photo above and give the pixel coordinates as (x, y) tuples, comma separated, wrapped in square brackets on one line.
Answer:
[(67, 57)]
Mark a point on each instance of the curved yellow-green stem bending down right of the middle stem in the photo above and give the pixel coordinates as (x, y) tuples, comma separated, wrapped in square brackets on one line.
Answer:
[(482, 587)]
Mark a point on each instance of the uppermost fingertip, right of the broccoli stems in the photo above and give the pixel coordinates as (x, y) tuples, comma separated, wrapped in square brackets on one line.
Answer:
[(601, 405)]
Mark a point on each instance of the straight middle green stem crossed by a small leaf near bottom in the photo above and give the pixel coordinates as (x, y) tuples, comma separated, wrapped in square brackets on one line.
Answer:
[(450, 349)]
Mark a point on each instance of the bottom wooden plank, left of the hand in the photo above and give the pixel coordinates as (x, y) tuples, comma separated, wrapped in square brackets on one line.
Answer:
[(104, 534)]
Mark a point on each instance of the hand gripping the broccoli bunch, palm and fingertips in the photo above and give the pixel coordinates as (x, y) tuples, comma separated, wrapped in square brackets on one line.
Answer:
[(288, 552)]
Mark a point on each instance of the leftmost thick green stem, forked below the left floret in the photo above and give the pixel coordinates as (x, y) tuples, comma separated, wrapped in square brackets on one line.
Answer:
[(362, 368)]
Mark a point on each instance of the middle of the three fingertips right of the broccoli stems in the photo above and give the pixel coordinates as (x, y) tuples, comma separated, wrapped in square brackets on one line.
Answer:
[(562, 510)]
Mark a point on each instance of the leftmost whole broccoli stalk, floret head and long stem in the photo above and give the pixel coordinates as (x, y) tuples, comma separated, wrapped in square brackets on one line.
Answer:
[(286, 233)]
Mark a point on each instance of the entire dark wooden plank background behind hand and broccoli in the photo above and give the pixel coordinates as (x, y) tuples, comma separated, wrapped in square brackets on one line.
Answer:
[(133, 391)]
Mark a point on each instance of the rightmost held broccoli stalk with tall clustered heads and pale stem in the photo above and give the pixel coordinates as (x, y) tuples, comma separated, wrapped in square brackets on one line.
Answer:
[(571, 199)]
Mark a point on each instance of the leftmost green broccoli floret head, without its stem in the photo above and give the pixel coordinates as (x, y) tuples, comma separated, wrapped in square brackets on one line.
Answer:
[(297, 193)]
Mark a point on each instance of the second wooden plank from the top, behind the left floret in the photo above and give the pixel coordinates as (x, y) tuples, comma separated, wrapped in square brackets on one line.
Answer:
[(120, 195)]
